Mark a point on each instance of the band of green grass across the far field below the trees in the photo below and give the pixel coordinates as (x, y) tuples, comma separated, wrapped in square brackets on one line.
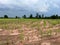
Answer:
[(17, 23)]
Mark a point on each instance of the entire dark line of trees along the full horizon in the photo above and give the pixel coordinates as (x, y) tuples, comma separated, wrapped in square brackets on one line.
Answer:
[(38, 16)]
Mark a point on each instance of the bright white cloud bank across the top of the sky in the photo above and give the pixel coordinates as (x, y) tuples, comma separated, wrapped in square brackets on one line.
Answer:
[(36, 5)]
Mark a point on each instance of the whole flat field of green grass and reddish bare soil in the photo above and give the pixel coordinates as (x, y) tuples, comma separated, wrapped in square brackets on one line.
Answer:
[(30, 31)]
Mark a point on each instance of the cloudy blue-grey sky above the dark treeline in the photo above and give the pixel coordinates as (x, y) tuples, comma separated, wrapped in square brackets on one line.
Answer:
[(21, 7)]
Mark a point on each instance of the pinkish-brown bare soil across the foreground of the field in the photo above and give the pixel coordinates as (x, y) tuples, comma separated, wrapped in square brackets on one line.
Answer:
[(32, 35)]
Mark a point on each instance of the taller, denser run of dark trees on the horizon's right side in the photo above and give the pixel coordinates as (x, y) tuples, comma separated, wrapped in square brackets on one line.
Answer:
[(42, 16)]
